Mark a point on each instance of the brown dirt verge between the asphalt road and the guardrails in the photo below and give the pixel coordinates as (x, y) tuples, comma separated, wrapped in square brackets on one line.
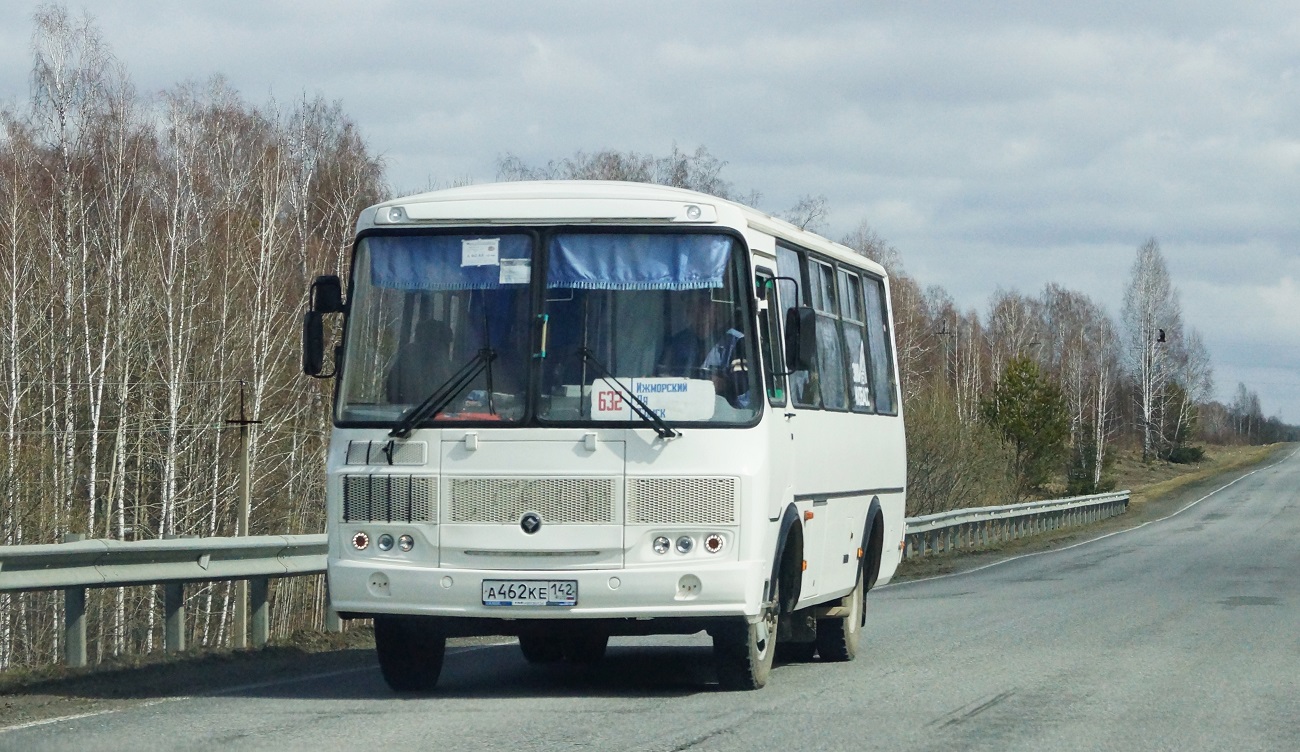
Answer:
[(44, 695)]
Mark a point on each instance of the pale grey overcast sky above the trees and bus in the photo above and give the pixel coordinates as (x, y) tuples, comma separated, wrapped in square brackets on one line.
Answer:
[(1007, 145)]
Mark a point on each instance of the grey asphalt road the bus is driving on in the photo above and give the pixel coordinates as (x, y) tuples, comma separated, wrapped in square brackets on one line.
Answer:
[(1184, 634)]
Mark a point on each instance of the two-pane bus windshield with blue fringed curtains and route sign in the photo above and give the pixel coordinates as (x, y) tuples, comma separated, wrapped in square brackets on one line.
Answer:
[(658, 316)]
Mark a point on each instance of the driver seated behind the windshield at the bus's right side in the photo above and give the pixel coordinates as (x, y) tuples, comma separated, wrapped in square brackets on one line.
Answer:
[(701, 349)]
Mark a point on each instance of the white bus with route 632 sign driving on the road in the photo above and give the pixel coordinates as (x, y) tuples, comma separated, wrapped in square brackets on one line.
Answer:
[(573, 410)]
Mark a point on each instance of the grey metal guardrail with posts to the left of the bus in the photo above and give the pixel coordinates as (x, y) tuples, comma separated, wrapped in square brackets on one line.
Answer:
[(77, 565)]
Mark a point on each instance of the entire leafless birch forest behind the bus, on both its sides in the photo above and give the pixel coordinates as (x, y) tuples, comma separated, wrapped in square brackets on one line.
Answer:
[(157, 254)]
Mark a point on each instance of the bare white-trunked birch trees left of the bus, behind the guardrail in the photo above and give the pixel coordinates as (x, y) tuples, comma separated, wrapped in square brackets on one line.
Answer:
[(157, 250)]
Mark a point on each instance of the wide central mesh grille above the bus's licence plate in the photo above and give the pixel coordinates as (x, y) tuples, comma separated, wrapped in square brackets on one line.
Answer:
[(558, 500)]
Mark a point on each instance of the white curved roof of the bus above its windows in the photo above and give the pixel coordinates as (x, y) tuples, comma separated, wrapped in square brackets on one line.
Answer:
[(592, 202)]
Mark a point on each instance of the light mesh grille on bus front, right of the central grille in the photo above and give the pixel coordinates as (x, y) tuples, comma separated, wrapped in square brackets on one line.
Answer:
[(682, 502)]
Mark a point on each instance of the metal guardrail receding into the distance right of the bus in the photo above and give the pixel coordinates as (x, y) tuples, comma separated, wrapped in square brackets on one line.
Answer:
[(985, 525)]
